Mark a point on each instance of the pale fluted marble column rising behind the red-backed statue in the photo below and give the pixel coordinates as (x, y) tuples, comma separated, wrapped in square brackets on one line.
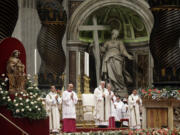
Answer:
[(26, 30)]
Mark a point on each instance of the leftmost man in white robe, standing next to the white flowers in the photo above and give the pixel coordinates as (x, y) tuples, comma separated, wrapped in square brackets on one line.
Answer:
[(53, 101)]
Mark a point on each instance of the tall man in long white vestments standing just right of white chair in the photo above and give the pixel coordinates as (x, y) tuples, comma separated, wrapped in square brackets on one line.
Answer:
[(102, 105)]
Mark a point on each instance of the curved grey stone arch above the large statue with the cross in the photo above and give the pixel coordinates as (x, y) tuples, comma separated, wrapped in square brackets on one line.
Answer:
[(89, 6)]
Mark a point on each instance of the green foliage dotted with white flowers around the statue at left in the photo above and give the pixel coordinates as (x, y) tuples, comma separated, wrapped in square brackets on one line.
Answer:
[(27, 104)]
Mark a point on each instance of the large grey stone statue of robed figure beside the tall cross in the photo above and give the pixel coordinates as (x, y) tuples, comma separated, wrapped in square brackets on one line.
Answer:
[(113, 63)]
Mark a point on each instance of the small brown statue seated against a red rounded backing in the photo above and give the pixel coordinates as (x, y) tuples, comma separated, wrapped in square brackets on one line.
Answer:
[(15, 72)]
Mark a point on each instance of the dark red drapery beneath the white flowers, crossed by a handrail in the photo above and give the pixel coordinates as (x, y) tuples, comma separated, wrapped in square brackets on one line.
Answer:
[(32, 127)]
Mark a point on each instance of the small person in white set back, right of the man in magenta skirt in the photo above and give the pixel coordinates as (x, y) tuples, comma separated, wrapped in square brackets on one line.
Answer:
[(118, 106)]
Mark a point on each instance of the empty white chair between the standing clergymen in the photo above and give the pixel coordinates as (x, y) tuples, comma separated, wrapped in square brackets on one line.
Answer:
[(88, 109)]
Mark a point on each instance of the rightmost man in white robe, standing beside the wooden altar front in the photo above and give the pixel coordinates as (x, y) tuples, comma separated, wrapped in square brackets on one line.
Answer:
[(134, 103)]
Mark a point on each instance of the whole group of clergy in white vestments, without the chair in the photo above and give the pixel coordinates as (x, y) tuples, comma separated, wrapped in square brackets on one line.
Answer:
[(110, 110)]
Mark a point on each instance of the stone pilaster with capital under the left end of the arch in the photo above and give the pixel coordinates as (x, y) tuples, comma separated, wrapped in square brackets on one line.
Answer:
[(75, 63)]
